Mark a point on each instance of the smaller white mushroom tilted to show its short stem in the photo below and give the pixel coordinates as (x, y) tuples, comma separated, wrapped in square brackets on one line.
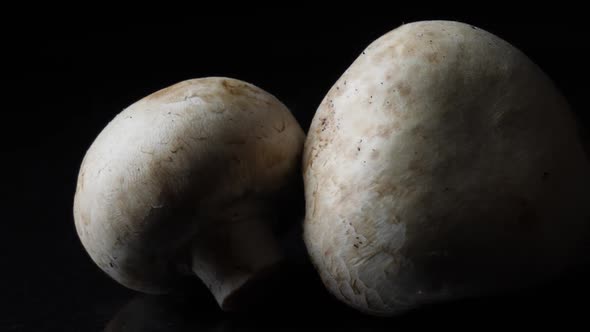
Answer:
[(185, 181)]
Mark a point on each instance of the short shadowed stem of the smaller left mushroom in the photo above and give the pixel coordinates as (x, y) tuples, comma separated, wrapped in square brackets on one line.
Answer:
[(231, 259)]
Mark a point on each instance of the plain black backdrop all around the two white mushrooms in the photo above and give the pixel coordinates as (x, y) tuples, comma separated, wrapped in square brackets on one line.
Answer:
[(73, 78)]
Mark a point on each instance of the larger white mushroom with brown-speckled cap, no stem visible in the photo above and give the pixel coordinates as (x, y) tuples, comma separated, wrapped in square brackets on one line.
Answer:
[(443, 164)]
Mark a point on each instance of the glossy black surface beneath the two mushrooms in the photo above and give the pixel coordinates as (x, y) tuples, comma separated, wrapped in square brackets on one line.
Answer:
[(297, 302)]
